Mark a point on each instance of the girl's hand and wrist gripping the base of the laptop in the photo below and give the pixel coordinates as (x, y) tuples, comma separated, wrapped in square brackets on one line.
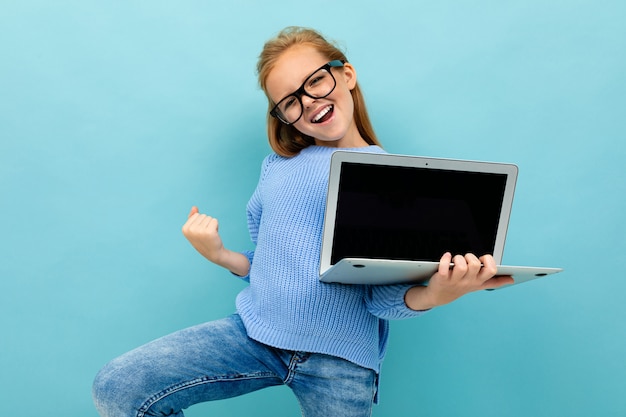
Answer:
[(468, 274)]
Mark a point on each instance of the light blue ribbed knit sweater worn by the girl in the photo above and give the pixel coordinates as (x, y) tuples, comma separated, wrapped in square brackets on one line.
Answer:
[(285, 305)]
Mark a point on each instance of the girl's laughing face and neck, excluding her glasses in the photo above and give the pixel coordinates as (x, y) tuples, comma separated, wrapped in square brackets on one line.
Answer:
[(328, 120)]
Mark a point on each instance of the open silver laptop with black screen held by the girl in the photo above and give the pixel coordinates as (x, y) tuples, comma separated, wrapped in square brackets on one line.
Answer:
[(389, 218)]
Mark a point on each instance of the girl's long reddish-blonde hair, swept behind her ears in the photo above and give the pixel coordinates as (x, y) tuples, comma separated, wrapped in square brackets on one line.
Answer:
[(284, 139)]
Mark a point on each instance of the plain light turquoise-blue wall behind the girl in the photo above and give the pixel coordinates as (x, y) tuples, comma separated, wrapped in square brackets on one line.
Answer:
[(117, 116)]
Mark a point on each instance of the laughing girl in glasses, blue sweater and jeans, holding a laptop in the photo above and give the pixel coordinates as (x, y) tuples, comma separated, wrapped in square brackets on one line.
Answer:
[(325, 341)]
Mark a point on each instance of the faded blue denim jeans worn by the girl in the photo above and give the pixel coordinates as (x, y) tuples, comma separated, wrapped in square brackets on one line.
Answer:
[(217, 360)]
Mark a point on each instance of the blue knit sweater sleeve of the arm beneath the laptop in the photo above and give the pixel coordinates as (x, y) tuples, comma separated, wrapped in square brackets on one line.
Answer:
[(387, 302)]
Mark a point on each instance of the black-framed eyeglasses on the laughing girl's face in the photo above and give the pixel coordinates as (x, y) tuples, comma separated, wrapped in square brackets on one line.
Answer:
[(317, 85)]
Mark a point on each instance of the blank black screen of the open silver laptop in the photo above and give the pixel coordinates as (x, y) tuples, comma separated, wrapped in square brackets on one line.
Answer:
[(411, 213)]
